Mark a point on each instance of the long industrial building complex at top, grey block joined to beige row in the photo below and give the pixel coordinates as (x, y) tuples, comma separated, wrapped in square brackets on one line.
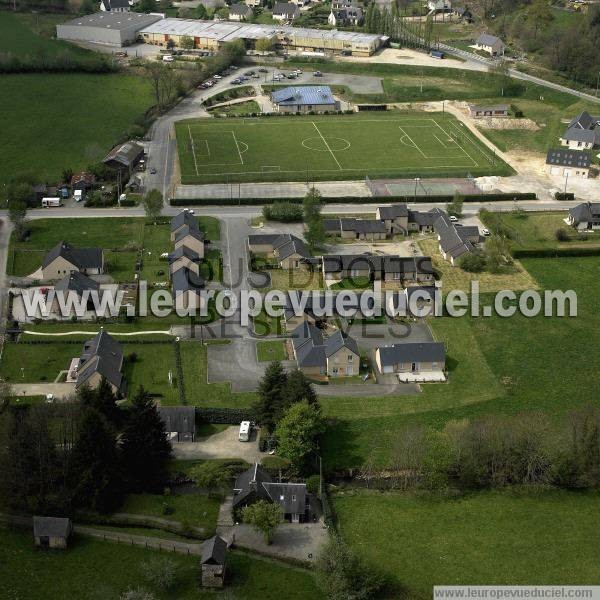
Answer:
[(122, 29)]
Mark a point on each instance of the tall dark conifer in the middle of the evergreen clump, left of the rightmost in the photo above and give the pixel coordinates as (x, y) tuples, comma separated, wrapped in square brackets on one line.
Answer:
[(95, 466)]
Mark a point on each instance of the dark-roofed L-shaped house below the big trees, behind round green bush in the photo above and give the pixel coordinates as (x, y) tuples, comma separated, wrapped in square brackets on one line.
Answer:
[(256, 484)]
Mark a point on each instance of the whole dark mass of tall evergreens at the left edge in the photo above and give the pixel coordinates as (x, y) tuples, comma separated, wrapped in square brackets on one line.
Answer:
[(84, 455)]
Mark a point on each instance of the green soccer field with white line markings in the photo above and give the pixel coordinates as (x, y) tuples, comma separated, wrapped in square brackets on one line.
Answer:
[(334, 147)]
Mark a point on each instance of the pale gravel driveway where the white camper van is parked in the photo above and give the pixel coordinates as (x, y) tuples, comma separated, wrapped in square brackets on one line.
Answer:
[(224, 444)]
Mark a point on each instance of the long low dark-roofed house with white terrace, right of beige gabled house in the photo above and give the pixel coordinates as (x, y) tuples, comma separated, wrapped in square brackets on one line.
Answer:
[(413, 361)]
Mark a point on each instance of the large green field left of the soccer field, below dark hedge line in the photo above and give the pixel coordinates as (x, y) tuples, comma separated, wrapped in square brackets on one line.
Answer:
[(80, 131)]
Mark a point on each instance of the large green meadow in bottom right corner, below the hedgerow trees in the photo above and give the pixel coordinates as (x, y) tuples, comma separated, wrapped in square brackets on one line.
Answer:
[(492, 538)]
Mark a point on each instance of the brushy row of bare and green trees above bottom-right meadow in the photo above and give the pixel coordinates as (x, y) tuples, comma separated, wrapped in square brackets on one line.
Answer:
[(495, 451)]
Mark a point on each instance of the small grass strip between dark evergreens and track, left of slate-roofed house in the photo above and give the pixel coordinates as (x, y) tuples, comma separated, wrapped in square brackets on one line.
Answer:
[(197, 510)]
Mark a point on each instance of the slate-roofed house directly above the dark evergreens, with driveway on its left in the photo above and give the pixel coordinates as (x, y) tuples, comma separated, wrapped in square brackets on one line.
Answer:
[(101, 358)]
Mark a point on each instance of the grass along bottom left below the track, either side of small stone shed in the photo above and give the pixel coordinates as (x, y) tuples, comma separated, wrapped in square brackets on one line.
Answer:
[(93, 569)]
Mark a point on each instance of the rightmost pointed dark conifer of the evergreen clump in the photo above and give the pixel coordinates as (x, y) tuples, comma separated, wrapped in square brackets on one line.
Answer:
[(145, 448)]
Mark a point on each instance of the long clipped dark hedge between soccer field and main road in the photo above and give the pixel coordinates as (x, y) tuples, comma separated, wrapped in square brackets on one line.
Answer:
[(495, 197)]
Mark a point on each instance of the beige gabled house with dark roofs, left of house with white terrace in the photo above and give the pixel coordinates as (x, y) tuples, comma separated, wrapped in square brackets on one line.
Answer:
[(336, 356)]
